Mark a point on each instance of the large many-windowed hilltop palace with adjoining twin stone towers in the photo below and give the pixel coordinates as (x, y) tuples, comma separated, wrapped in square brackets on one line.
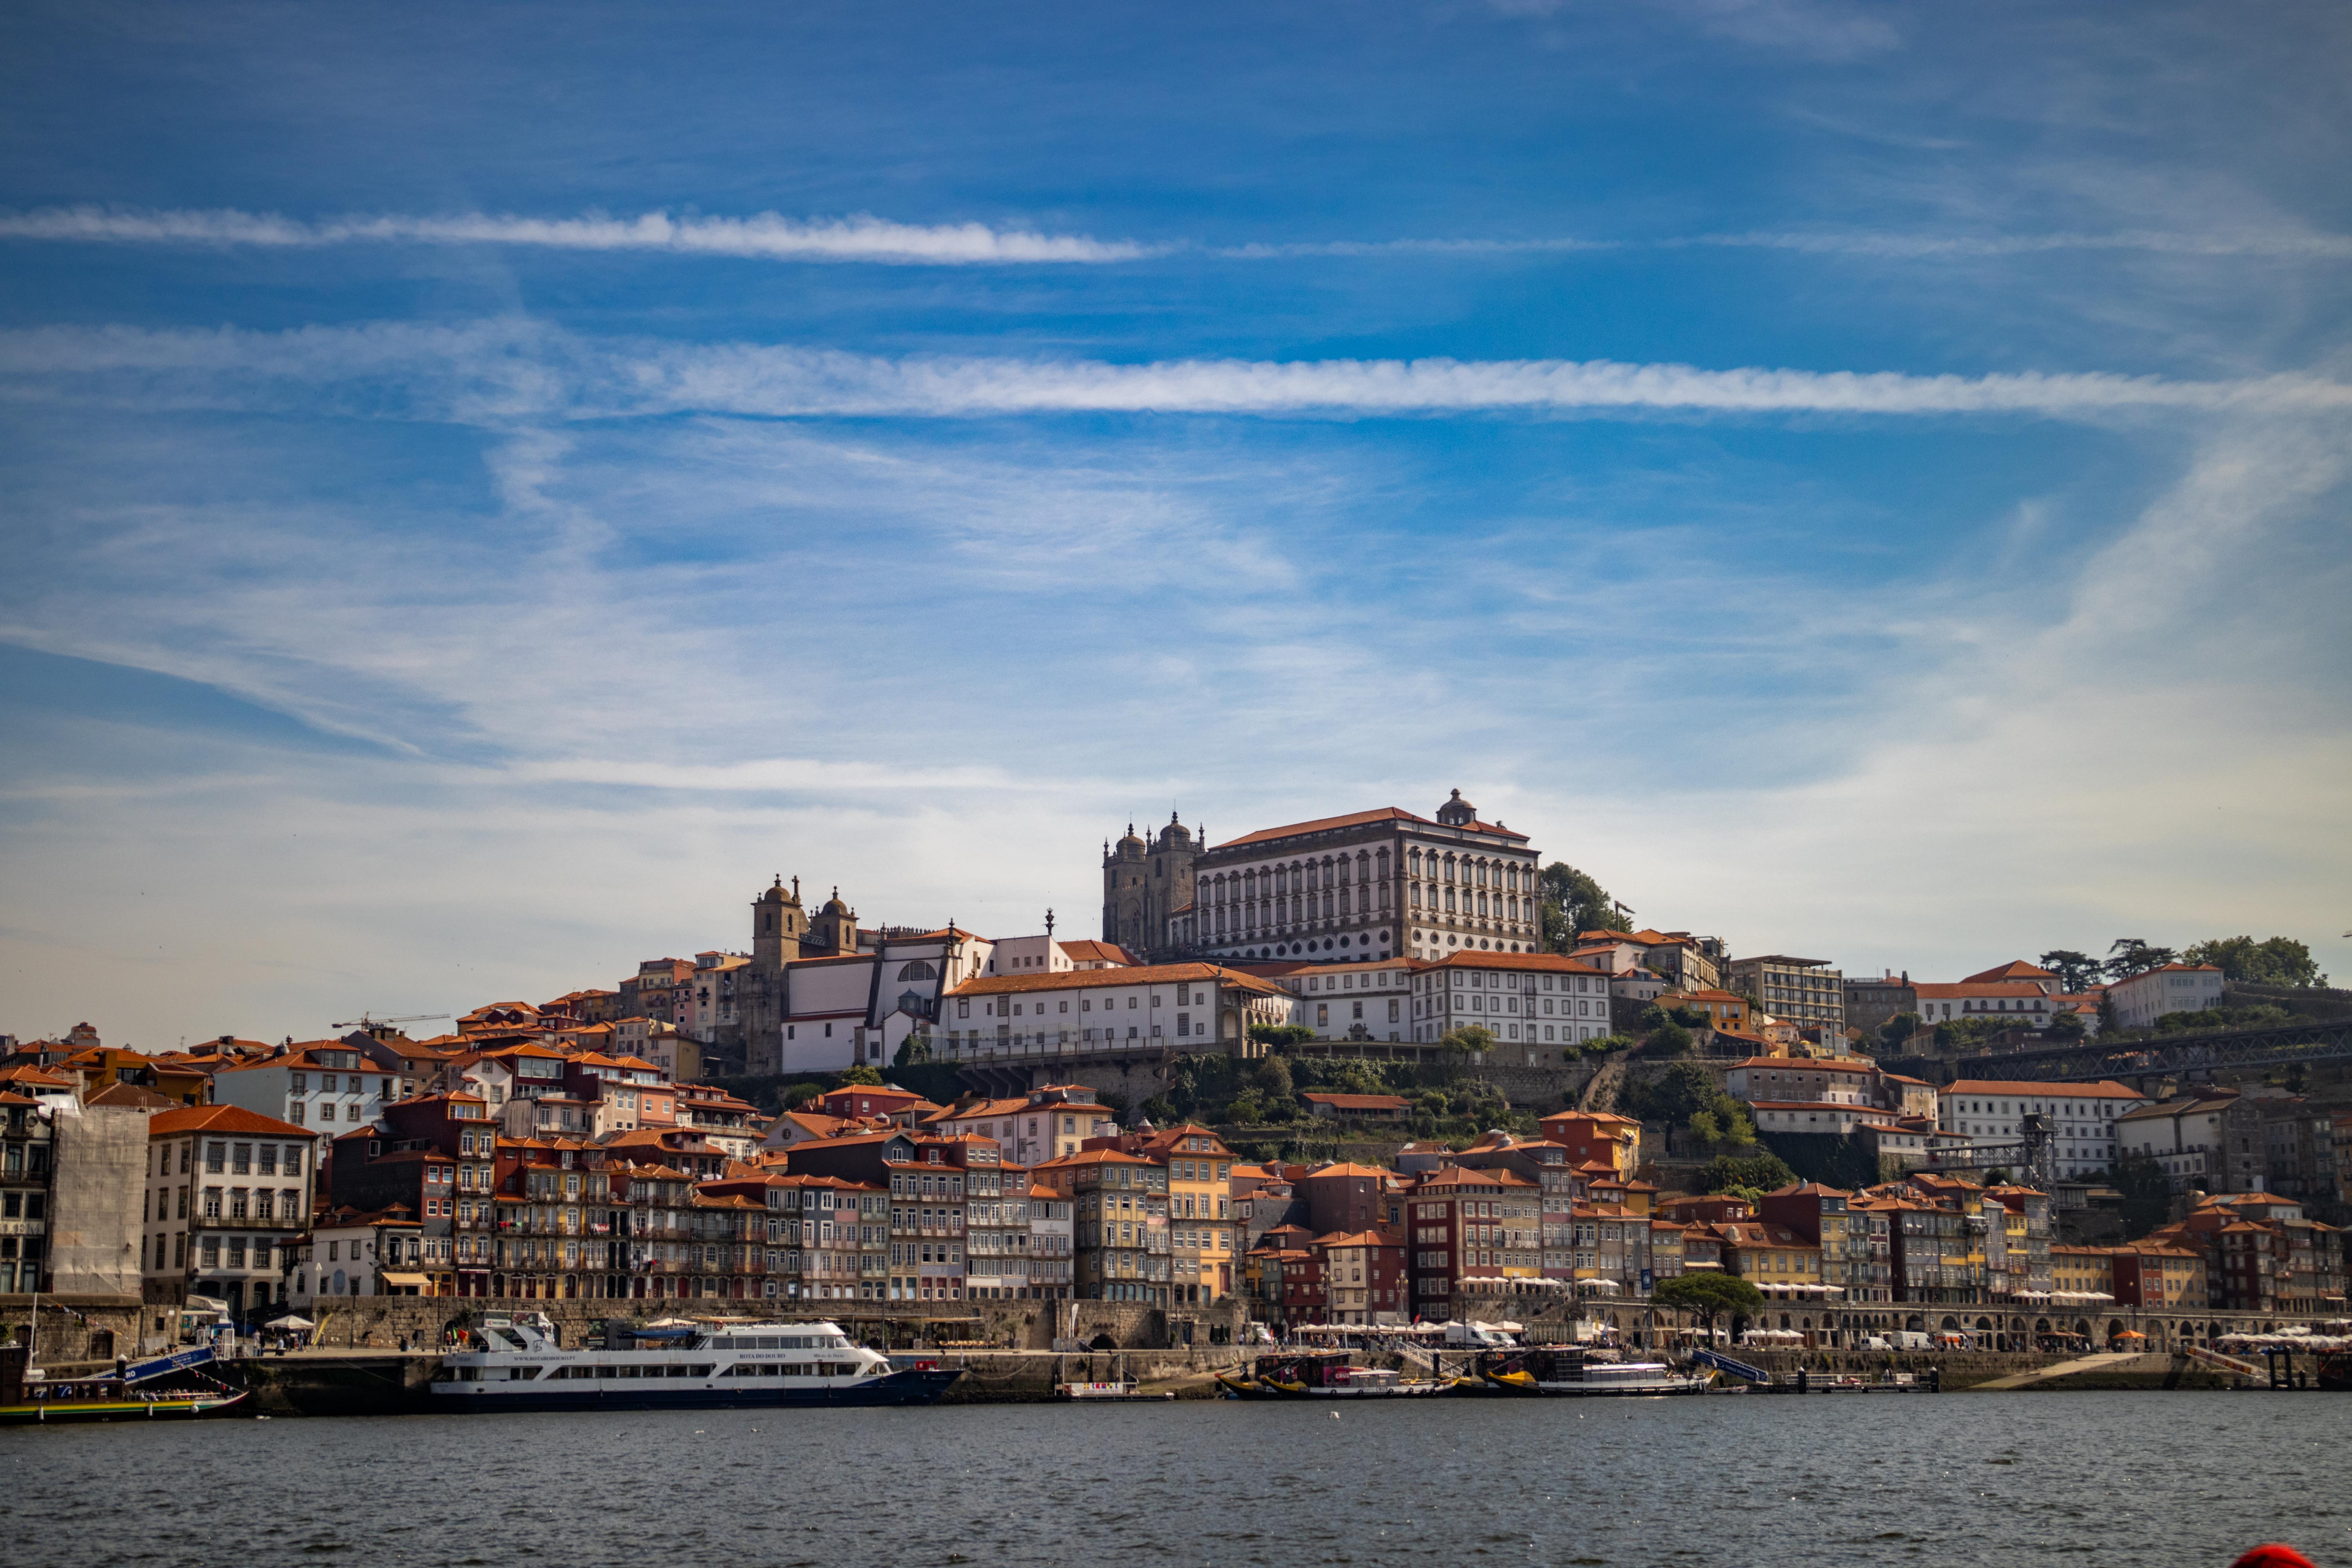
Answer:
[(1368, 885)]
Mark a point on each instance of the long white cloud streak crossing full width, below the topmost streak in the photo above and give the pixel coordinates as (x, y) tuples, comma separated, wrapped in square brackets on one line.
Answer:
[(512, 370)]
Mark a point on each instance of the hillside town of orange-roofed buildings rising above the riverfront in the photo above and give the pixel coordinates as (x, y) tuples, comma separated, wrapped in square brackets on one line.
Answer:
[(1361, 1071)]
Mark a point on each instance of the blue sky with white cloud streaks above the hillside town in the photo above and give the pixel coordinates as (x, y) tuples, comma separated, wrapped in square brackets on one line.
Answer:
[(488, 488)]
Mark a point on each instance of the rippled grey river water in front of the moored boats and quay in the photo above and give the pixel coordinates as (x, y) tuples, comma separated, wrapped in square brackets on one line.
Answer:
[(2003, 1480)]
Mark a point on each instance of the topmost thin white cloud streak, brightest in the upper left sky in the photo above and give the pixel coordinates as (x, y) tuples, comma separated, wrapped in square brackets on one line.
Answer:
[(766, 236)]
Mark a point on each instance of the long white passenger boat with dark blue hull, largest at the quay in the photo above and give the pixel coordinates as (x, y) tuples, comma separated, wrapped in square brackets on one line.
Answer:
[(521, 1365)]
